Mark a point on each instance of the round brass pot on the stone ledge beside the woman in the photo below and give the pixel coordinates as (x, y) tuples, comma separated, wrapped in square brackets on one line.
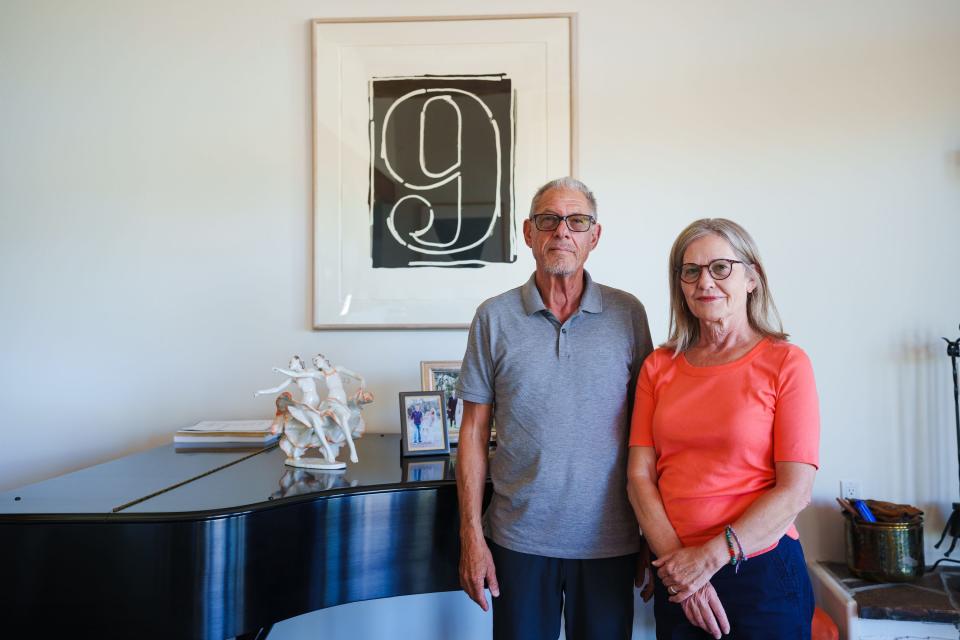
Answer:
[(884, 551)]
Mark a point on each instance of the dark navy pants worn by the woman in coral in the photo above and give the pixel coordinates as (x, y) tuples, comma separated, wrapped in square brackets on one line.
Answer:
[(770, 598)]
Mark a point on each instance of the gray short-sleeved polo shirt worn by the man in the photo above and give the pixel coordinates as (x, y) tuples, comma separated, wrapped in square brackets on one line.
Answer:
[(562, 396)]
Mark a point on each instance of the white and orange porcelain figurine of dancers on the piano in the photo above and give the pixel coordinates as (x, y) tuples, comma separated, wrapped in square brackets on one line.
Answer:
[(325, 424)]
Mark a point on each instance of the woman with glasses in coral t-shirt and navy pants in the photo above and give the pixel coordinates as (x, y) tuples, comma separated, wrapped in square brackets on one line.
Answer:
[(723, 449)]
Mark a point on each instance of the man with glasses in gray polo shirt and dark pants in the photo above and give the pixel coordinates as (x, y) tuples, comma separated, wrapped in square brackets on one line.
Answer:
[(558, 358)]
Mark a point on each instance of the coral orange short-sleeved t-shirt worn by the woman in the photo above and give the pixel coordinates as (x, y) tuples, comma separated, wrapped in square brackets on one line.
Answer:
[(718, 430)]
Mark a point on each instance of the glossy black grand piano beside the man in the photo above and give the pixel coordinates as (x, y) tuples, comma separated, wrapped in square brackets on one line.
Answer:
[(222, 544)]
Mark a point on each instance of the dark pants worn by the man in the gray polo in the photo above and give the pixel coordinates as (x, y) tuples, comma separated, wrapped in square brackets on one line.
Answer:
[(595, 596)]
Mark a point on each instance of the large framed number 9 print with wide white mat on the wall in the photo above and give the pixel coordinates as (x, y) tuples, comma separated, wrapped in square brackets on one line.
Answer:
[(430, 136)]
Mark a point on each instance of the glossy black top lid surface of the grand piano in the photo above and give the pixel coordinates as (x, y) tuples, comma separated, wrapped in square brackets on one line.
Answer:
[(163, 481)]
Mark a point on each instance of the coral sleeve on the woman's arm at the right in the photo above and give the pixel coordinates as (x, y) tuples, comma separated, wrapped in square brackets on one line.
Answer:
[(796, 420)]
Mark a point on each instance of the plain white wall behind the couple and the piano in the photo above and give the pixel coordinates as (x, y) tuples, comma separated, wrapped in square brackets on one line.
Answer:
[(155, 211)]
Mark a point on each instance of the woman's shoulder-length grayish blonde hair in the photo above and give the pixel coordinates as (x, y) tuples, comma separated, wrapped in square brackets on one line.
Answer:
[(761, 311)]
